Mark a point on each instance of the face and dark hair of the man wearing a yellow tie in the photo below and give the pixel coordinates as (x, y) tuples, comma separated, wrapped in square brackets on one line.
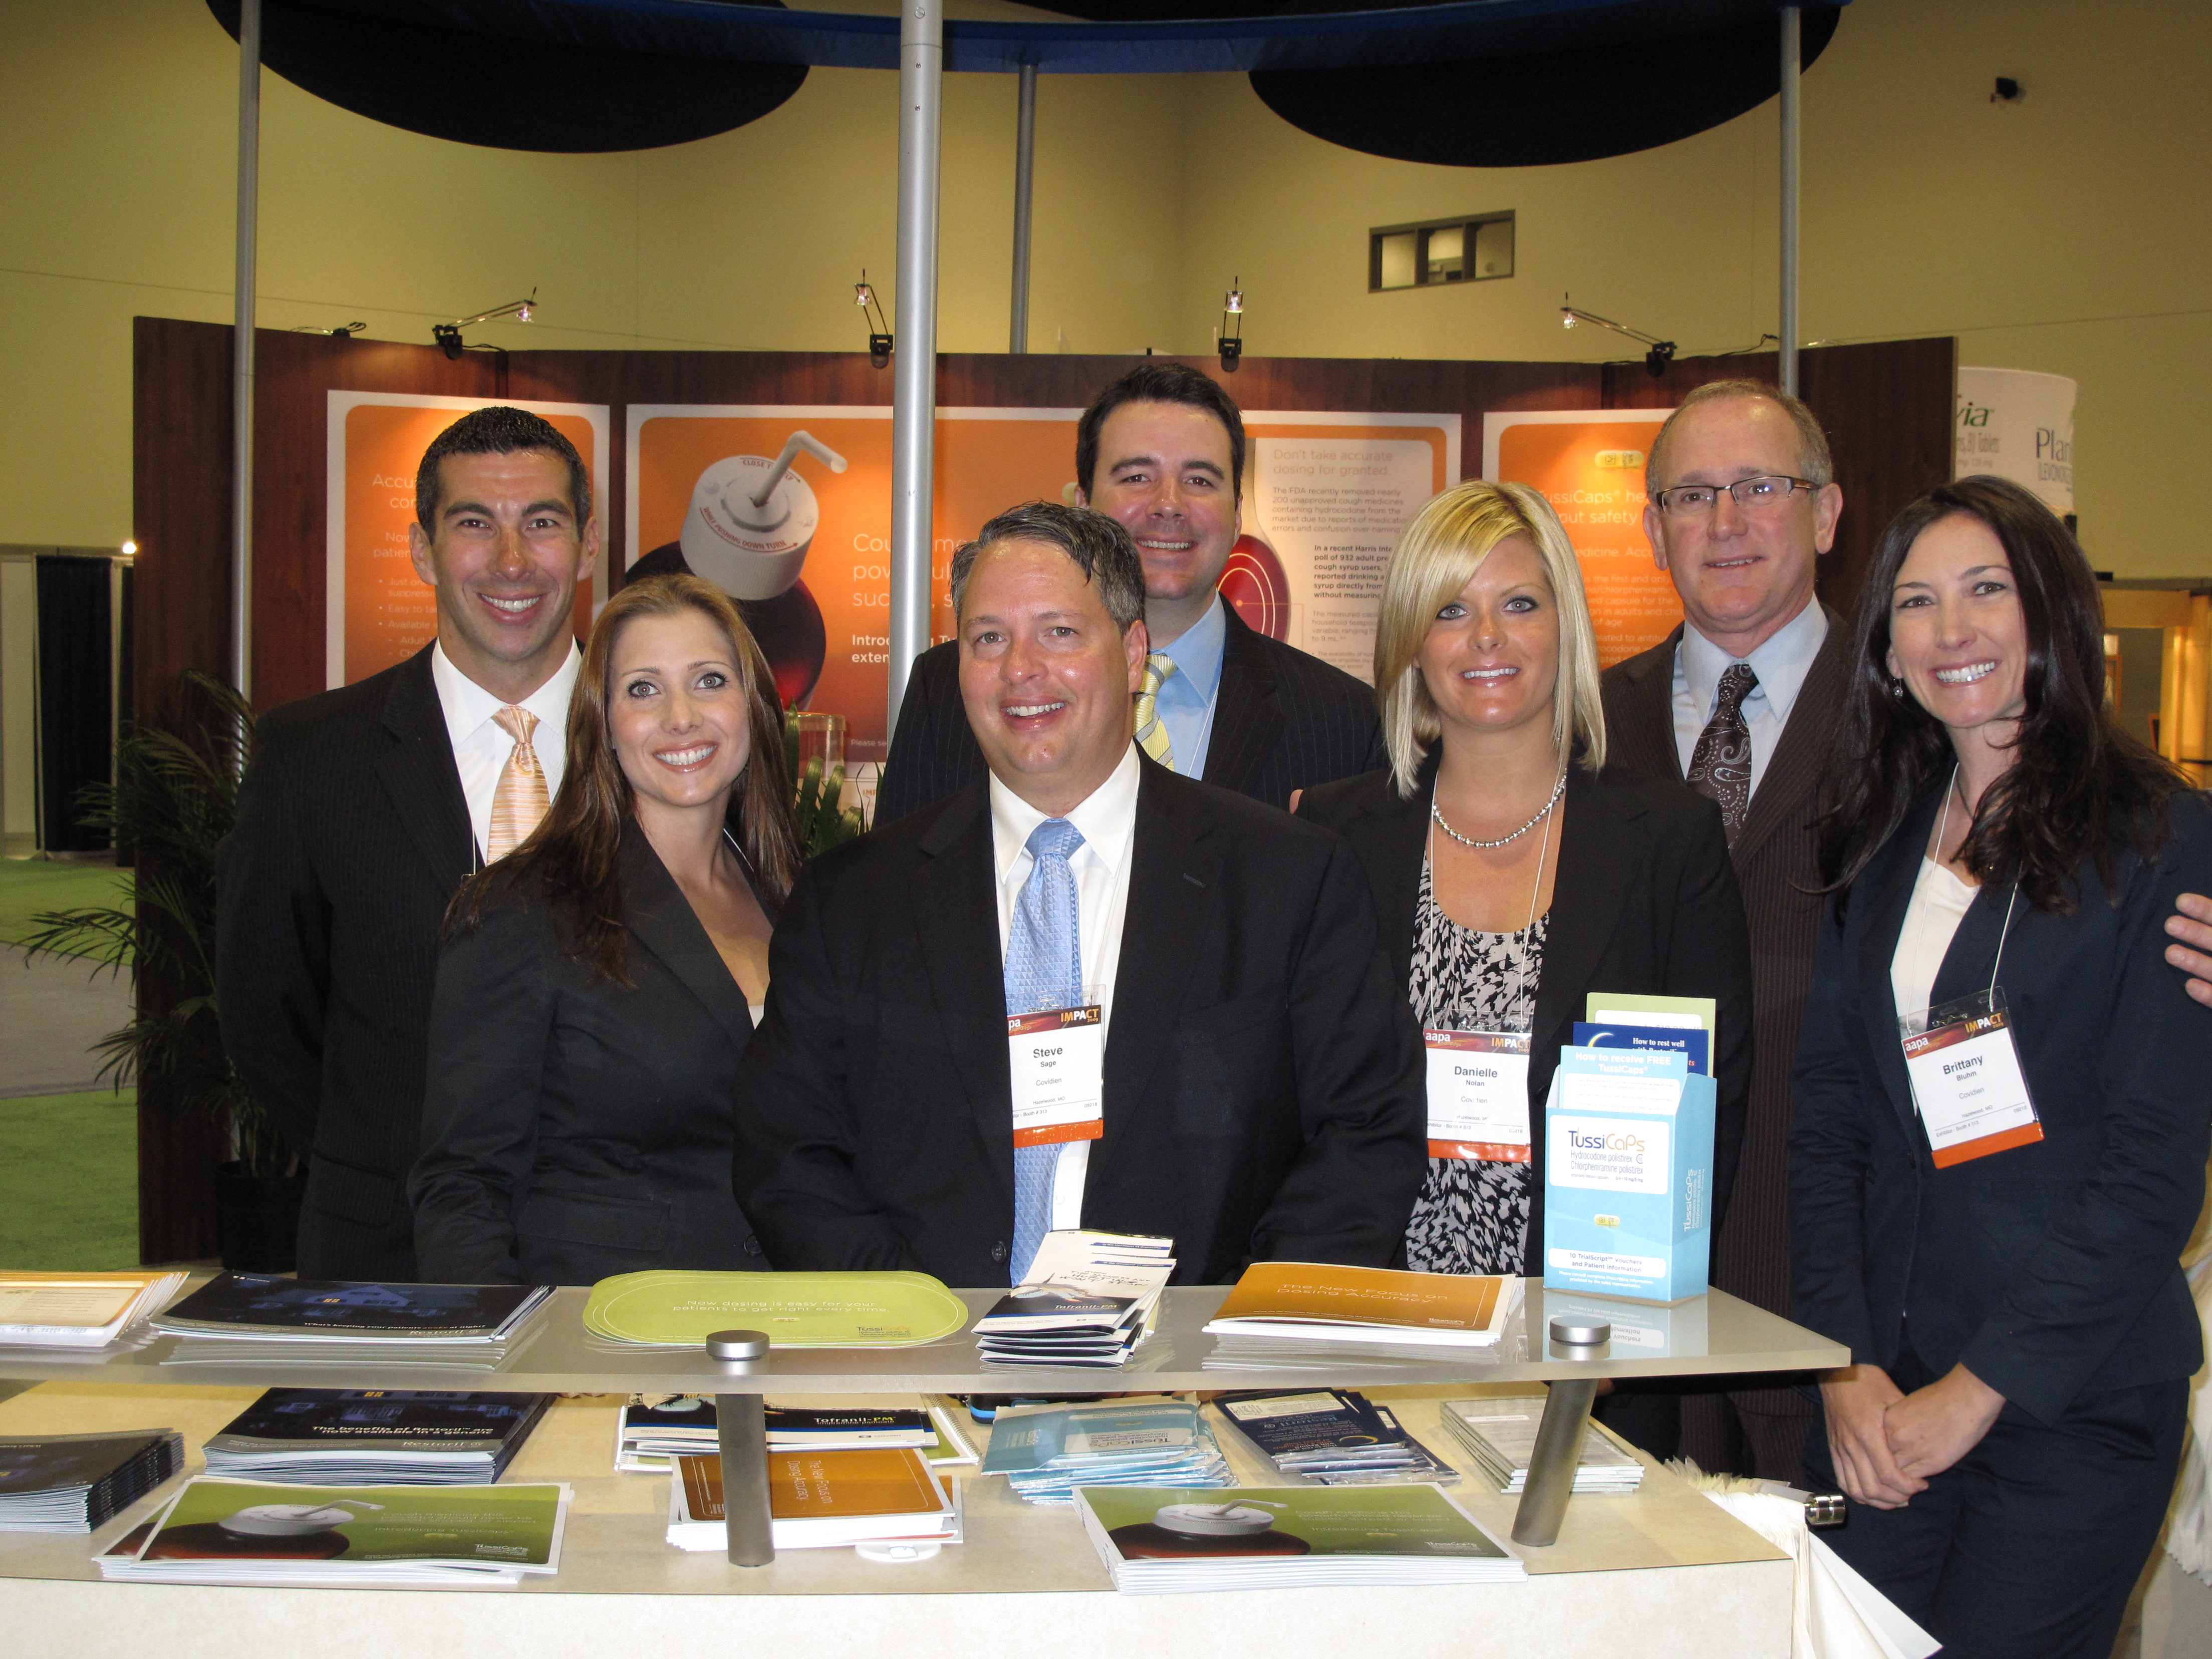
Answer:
[(1165, 472)]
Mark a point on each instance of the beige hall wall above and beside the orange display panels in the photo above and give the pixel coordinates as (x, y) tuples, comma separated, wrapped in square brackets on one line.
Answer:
[(2067, 233)]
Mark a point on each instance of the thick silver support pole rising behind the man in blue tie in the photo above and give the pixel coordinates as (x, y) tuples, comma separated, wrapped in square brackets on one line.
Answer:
[(915, 386)]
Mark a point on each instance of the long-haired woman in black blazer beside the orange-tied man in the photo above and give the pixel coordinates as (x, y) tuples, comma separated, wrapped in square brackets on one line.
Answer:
[(601, 983)]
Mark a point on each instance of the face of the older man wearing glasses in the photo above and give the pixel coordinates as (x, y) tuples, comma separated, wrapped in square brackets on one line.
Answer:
[(1742, 574)]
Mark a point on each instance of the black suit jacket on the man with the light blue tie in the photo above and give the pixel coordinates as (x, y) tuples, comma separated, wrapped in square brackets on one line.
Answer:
[(1262, 1072)]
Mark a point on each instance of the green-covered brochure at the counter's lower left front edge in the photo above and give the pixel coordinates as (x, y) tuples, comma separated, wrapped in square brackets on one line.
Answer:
[(247, 1523)]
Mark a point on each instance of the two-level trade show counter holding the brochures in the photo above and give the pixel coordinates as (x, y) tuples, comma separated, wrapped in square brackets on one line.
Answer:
[(1660, 1572)]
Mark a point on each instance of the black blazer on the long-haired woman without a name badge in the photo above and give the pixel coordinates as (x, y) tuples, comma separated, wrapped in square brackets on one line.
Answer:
[(576, 1127)]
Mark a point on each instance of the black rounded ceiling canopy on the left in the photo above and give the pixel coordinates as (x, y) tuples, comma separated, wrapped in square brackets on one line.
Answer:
[(505, 92)]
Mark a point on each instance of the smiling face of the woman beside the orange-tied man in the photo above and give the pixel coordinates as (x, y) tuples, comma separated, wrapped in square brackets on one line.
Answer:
[(678, 713)]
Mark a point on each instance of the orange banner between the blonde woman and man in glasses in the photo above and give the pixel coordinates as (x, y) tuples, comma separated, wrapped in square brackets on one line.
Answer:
[(1589, 466)]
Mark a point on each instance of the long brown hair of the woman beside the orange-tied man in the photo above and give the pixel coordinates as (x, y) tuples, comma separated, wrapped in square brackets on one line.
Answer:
[(574, 859)]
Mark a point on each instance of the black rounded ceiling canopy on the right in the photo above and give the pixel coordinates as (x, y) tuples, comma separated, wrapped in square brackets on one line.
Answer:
[(1545, 107)]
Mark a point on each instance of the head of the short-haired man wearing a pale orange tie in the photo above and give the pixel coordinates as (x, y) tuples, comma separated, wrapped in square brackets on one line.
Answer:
[(505, 559)]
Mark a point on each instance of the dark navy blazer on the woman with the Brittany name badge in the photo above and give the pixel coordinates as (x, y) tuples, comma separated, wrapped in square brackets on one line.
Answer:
[(2052, 1271)]
